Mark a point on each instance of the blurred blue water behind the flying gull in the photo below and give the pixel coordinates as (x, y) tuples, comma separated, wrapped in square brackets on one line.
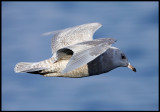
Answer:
[(133, 24)]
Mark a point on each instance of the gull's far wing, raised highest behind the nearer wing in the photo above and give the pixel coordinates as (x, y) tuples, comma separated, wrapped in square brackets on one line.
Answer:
[(72, 35)]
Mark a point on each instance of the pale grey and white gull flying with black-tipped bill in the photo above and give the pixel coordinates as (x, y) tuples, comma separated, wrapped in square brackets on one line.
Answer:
[(76, 54)]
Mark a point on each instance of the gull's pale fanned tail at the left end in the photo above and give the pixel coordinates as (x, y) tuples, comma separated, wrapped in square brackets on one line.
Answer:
[(28, 67)]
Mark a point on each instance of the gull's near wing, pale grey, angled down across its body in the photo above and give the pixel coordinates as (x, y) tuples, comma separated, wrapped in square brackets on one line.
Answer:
[(85, 52)]
